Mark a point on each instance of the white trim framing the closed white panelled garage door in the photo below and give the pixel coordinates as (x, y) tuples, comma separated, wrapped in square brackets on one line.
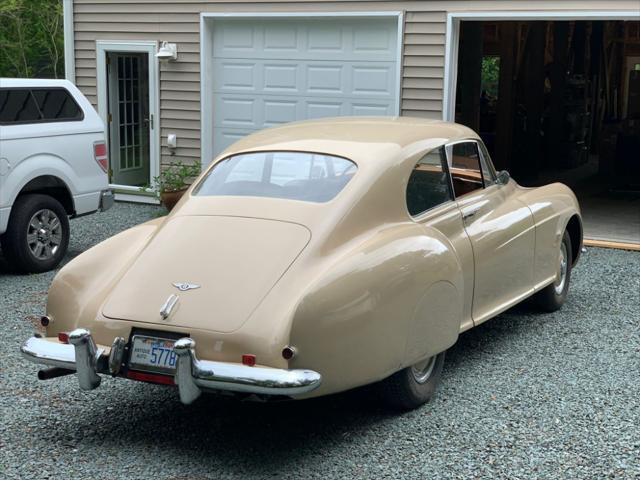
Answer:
[(206, 54)]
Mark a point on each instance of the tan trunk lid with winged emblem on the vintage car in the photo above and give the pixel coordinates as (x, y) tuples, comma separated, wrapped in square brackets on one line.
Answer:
[(219, 267)]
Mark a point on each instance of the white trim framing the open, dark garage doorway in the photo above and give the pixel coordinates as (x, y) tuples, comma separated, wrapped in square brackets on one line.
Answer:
[(453, 37)]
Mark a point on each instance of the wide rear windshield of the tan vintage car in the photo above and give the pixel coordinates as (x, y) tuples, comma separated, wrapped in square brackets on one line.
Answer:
[(309, 177)]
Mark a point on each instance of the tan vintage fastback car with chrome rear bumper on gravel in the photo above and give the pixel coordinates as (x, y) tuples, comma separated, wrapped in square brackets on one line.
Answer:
[(314, 258)]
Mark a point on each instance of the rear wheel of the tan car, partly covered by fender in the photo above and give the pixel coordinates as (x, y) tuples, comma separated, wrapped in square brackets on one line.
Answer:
[(412, 386)]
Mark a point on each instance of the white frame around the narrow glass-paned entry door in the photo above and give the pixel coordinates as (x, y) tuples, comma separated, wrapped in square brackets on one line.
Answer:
[(151, 48)]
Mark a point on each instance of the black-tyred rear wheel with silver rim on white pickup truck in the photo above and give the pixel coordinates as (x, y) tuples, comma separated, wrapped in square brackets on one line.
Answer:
[(37, 236)]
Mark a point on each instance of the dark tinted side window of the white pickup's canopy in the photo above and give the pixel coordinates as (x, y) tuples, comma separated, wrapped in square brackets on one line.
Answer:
[(37, 105)]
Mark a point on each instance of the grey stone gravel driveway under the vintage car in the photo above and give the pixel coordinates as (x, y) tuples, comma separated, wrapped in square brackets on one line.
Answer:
[(523, 396)]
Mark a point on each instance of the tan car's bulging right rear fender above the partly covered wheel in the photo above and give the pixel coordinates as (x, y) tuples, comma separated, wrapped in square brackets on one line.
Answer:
[(394, 300)]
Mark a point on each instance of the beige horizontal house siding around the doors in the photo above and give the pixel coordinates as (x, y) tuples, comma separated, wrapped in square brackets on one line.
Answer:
[(179, 22)]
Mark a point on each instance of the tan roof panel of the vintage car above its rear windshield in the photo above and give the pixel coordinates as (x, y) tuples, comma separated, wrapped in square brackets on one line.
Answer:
[(361, 139)]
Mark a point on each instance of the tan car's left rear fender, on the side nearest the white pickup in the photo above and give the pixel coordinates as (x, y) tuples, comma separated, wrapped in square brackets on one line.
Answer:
[(82, 285)]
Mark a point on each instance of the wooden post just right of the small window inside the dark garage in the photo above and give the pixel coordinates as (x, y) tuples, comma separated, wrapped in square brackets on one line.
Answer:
[(506, 97)]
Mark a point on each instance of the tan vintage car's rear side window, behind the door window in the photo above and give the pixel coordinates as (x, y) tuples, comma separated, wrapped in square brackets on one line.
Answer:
[(428, 185)]
